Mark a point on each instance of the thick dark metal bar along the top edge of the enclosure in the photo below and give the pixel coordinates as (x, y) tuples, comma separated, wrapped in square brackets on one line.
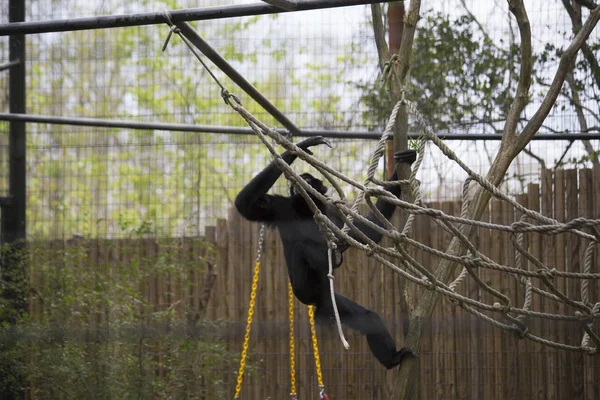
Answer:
[(152, 18)]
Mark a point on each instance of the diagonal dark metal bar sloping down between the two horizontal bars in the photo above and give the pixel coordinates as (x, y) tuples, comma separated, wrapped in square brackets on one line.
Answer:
[(223, 65)]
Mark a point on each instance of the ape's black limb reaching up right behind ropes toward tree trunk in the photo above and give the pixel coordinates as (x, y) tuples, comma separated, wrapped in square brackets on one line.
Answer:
[(385, 208)]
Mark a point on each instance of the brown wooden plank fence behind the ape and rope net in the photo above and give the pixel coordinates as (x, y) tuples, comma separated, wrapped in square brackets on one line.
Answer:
[(461, 357)]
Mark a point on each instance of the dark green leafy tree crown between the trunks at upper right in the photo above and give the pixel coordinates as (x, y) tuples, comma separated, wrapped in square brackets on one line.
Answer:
[(458, 76)]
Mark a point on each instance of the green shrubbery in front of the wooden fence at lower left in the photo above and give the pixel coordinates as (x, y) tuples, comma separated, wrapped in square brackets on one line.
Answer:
[(92, 332)]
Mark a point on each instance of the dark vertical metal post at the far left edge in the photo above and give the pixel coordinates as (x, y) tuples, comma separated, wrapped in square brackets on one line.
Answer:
[(13, 217)]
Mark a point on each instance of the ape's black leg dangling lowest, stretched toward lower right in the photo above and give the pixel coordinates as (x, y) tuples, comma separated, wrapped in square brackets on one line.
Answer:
[(362, 319)]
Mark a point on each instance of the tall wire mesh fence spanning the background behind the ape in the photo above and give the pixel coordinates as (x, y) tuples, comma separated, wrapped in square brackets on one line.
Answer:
[(113, 211)]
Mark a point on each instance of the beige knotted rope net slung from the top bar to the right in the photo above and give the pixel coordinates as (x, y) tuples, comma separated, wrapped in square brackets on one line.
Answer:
[(529, 271)]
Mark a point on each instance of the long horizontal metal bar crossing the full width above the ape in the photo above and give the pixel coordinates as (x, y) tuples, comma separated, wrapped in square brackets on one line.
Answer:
[(234, 130)]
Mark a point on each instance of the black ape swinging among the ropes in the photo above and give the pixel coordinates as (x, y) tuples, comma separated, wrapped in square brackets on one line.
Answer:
[(305, 249)]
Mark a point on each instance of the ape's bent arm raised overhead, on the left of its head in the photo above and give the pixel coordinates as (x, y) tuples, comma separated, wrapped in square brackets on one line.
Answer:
[(255, 204)]
